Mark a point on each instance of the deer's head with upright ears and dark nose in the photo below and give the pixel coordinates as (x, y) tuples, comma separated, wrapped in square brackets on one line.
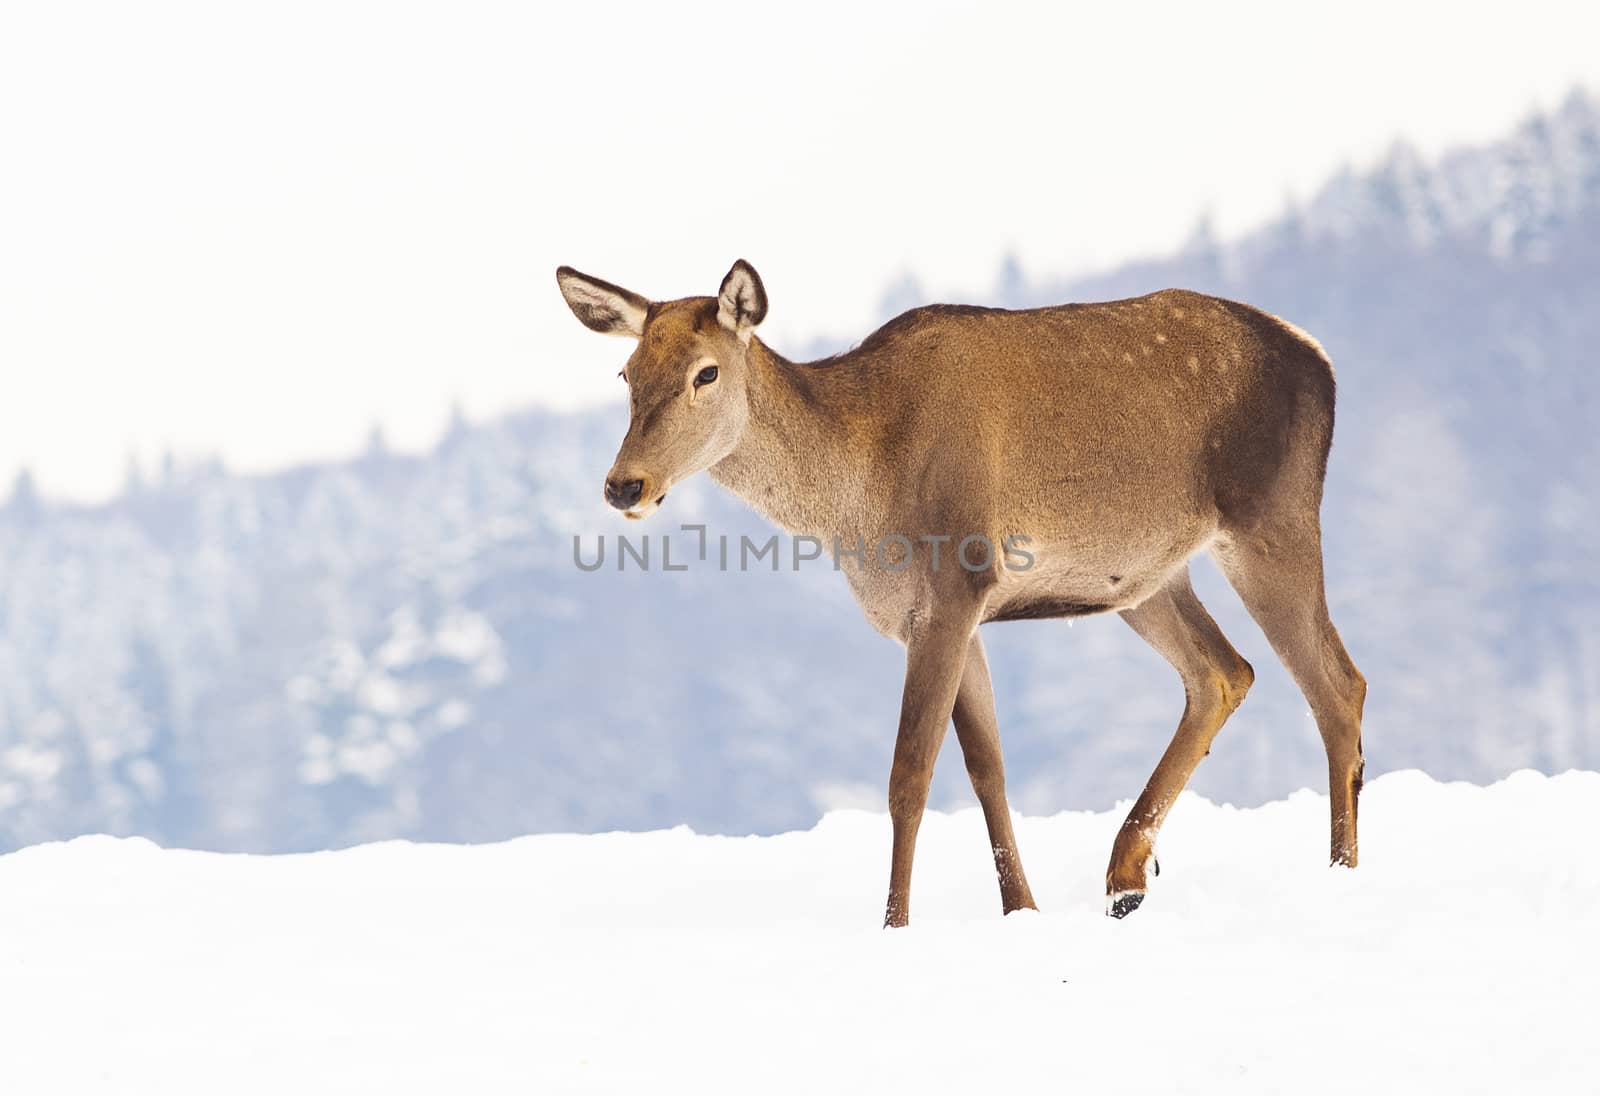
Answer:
[(687, 380)]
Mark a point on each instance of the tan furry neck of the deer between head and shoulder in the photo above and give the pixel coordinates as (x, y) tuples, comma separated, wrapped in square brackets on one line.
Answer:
[(793, 463)]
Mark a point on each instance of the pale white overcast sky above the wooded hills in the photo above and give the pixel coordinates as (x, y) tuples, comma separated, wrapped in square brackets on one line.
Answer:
[(255, 231)]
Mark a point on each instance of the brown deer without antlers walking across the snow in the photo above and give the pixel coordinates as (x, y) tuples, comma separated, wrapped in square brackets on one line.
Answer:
[(1113, 441)]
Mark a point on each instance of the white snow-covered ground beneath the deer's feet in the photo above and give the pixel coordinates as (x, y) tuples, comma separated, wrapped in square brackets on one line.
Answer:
[(1460, 958)]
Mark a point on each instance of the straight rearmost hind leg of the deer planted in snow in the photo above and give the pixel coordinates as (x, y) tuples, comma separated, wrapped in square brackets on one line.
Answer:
[(1278, 572)]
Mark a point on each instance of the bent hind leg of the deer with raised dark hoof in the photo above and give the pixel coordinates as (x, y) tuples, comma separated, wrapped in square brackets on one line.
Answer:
[(1215, 681)]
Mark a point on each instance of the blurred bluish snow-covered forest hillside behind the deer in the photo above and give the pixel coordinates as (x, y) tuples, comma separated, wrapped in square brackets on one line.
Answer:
[(402, 647)]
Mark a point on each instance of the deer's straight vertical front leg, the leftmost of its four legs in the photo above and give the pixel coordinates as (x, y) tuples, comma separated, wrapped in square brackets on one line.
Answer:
[(935, 657)]
